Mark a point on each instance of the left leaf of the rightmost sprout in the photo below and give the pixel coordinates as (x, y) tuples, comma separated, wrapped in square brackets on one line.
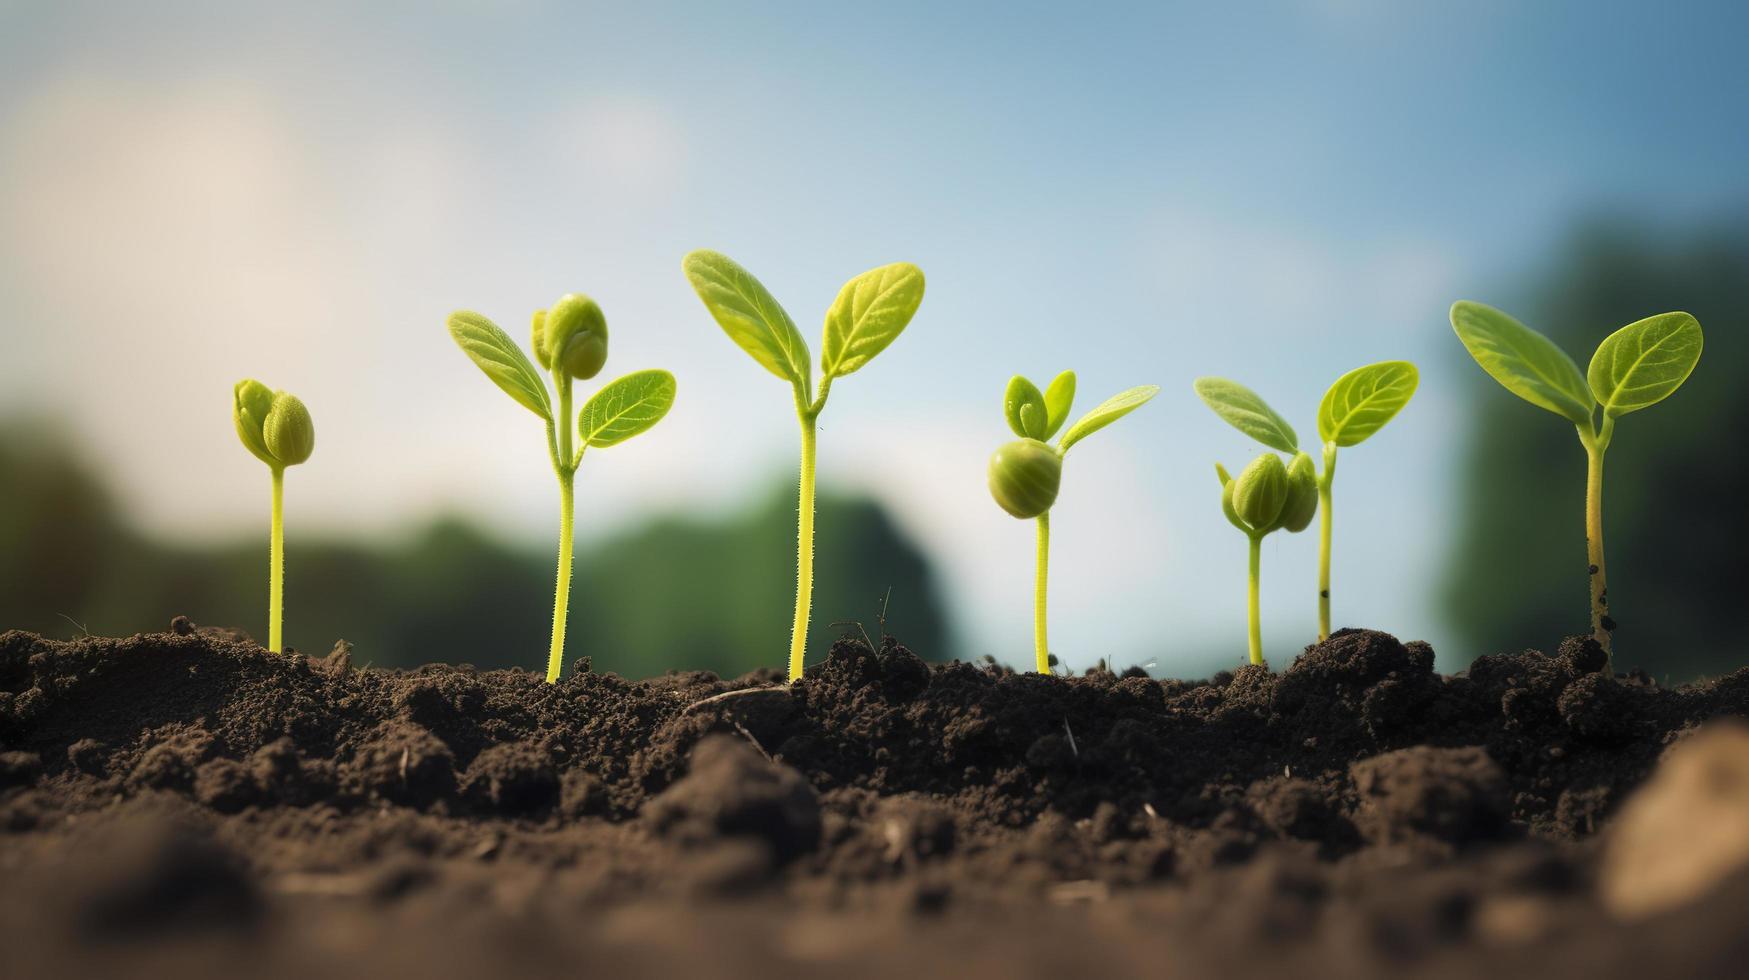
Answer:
[(1524, 361)]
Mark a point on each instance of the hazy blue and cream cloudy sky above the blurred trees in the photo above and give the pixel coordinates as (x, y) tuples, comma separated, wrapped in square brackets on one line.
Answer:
[(1141, 193)]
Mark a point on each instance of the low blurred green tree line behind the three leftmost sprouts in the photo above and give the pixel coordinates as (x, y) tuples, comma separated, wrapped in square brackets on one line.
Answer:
[(674, 594)]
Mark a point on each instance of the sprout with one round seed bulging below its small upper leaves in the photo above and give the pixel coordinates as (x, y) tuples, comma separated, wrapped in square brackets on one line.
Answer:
[(1028, 473)]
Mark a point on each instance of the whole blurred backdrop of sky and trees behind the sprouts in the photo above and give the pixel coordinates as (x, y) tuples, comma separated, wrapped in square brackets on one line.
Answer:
[(1146, 193)]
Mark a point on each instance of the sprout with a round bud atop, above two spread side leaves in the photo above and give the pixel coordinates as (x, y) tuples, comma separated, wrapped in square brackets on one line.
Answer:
[(571, 344)]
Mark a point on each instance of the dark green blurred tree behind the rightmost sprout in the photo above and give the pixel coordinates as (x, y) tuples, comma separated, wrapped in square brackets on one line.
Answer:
[(1675, 482)]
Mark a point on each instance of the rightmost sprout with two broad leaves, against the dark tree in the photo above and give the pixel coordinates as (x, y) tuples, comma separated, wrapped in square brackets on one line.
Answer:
[(1636, 367)]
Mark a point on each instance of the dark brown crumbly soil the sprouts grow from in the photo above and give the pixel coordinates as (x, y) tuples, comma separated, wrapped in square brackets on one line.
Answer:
[(190, 802)]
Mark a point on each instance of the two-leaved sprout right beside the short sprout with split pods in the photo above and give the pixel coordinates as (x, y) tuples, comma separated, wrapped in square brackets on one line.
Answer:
[(1356, 407)]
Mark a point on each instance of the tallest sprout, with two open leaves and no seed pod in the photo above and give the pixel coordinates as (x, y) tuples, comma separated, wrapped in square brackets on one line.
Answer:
[(868, 316)]
